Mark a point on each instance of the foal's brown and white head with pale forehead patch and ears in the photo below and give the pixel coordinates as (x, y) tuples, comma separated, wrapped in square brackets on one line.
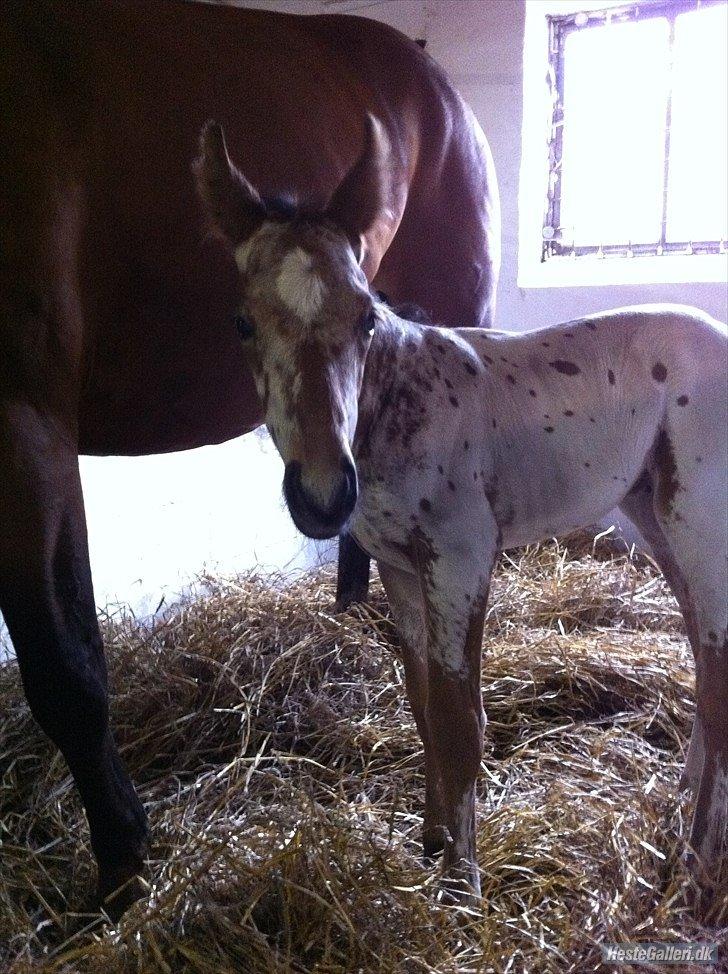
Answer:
[(305, 320)]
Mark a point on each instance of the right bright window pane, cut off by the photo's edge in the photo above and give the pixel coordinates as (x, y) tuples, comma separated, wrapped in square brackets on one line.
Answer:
[(697, 199)]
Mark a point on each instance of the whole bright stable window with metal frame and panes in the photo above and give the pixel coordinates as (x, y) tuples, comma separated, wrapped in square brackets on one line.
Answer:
[(638, 147)]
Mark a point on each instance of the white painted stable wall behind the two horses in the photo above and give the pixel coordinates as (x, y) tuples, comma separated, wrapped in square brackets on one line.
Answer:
[(156, 522)]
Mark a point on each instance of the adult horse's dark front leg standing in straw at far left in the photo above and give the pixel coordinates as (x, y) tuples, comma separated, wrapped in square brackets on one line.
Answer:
[(47, 599)]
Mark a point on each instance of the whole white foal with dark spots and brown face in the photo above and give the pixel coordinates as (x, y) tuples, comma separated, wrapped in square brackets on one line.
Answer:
[(440, 447)]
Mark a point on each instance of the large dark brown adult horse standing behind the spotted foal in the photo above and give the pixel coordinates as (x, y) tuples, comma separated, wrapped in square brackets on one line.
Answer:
[(115, 312)]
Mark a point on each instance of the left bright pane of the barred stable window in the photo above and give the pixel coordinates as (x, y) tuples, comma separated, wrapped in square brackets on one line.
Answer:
[(615, 99)]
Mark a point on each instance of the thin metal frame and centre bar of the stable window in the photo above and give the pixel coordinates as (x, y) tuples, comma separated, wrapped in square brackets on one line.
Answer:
[(560, 26)]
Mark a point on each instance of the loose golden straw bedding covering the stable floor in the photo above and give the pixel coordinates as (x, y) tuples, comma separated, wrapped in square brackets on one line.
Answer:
[(274, 750)]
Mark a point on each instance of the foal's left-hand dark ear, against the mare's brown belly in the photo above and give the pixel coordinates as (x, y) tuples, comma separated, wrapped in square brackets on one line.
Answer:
[(232, 204)]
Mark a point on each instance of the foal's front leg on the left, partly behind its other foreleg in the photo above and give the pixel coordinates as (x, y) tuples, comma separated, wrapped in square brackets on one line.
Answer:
[(405, 600)]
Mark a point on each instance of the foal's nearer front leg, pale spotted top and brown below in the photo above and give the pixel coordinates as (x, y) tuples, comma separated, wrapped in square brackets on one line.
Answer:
[(455, 583)]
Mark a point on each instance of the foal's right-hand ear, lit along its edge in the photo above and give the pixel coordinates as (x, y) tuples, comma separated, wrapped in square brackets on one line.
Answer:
[(361, 197)]
